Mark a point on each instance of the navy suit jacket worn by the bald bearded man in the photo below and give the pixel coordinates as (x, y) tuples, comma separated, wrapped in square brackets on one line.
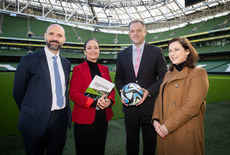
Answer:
[(33, 94)]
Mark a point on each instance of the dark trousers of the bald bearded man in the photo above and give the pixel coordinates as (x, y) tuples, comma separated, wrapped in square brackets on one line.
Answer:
[(53, 140)]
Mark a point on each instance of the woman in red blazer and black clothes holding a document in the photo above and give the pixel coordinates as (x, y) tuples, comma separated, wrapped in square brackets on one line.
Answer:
[(90, 125)]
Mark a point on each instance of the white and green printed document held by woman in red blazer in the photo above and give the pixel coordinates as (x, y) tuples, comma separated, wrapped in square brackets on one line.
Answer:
[(98, 87)]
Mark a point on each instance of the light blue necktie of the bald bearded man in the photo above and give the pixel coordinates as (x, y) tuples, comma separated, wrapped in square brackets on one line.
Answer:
[(57, 83)]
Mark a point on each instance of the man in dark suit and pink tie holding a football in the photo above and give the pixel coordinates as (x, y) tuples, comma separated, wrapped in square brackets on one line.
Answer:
[(145, 65)]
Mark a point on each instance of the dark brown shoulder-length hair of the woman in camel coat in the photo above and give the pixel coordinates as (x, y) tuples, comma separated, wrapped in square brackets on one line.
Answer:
[(192, 58)]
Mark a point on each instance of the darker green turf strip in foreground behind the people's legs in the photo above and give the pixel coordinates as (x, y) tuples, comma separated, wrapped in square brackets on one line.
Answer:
[(216, 129)]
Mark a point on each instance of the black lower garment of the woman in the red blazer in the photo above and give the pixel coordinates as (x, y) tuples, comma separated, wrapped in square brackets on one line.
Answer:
[(90, 139)]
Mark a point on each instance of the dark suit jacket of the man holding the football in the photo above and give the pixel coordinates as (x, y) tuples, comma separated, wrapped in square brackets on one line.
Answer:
[(150, 75)]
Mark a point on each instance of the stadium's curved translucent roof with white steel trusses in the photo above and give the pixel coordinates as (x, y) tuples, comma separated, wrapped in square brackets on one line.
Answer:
[(114, 15)]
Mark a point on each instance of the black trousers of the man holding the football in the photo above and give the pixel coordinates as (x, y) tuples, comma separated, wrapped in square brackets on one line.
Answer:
[(133, 123)]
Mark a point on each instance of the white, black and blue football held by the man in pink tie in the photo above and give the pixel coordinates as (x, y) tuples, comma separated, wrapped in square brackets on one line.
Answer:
[(131, 94)]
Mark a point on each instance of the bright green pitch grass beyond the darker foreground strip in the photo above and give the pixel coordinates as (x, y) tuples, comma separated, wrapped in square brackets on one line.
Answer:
[(218, 90)]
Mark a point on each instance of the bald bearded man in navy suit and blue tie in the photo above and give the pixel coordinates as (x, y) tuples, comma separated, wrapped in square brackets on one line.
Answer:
[(44, 110)]
